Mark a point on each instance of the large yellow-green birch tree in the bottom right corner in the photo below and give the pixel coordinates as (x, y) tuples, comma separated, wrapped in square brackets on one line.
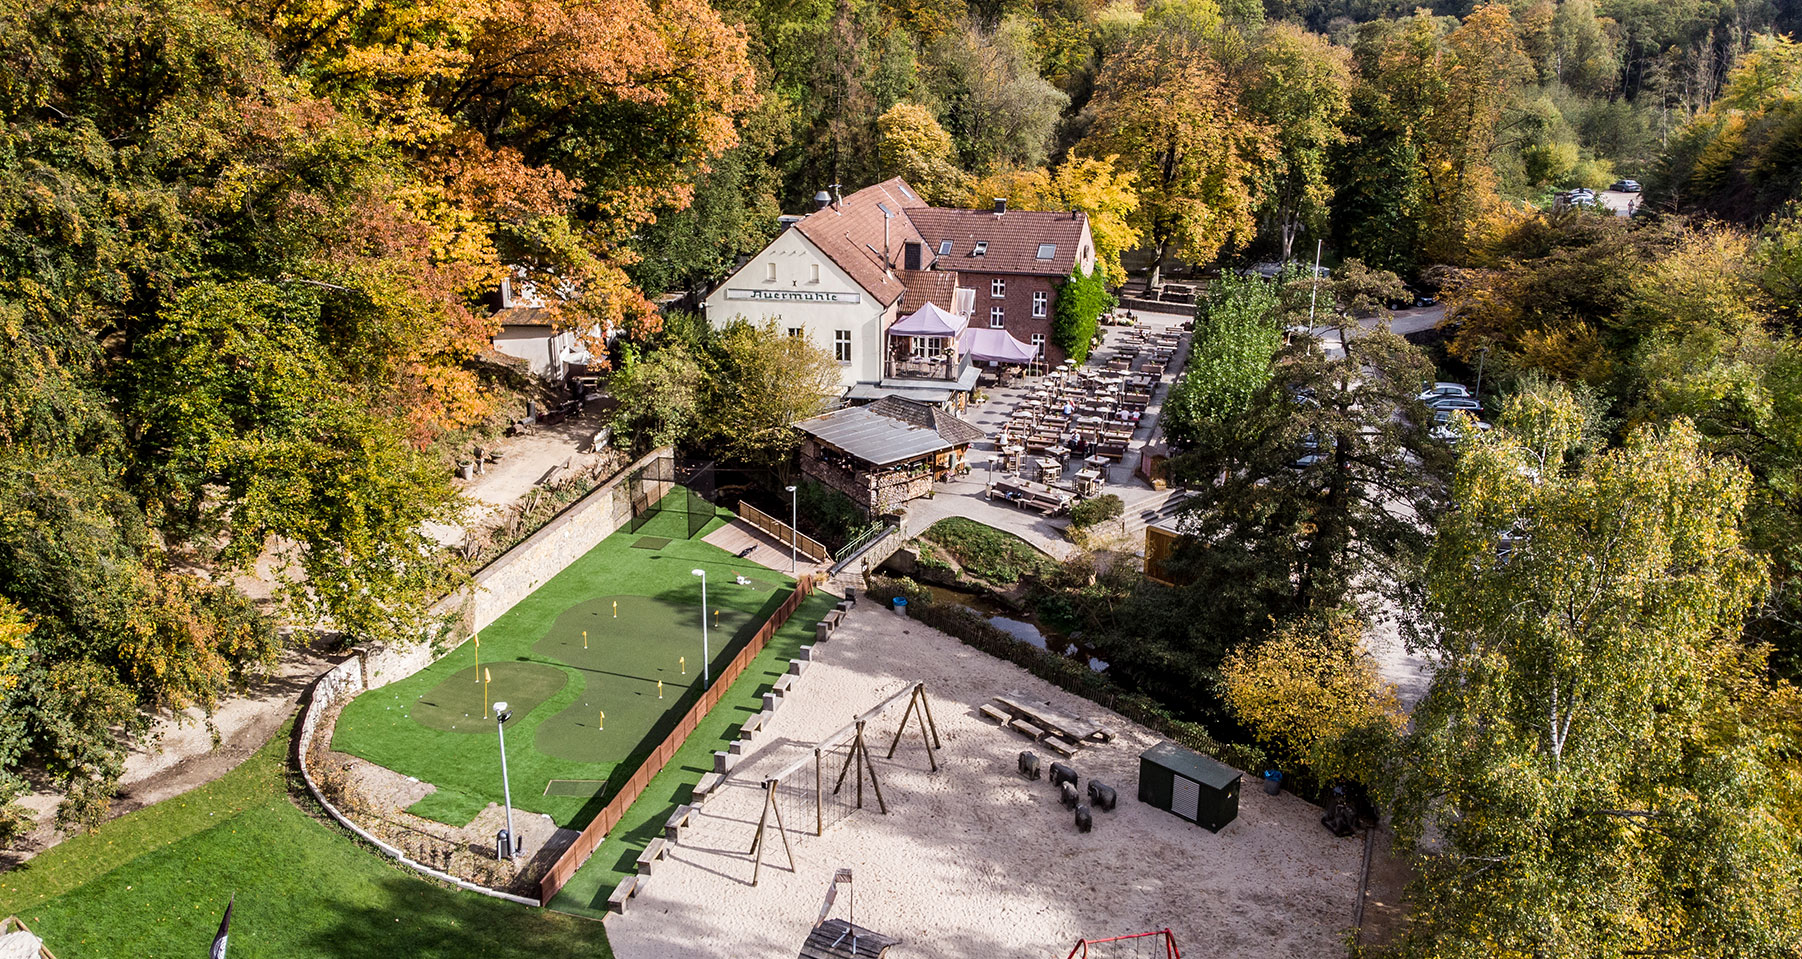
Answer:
[(1583, 758)]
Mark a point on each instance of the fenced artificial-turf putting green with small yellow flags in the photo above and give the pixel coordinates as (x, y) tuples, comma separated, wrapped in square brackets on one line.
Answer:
[(597, 666)]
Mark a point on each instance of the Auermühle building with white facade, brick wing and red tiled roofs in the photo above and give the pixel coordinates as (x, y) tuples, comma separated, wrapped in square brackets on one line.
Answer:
[(850, 271)]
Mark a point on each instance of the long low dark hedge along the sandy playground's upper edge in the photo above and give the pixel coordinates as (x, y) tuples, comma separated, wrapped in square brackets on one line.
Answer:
[(1062, 671)]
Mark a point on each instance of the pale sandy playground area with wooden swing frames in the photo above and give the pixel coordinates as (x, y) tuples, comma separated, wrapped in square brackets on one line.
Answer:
[(978, 861)]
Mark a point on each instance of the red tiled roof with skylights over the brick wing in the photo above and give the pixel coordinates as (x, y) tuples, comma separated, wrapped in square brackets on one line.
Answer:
[(1014, 241)]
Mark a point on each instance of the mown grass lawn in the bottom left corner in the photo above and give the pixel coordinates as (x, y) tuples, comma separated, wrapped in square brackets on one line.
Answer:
[(154, 884)]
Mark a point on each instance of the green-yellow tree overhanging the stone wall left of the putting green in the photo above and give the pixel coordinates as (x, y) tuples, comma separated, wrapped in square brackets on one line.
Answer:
[(250, 434)]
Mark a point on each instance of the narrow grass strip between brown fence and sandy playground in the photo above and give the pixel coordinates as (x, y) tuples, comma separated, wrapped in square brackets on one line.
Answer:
[(587, 893)]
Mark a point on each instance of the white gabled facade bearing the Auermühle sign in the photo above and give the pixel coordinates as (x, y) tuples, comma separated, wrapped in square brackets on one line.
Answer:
[(797, 288)]
